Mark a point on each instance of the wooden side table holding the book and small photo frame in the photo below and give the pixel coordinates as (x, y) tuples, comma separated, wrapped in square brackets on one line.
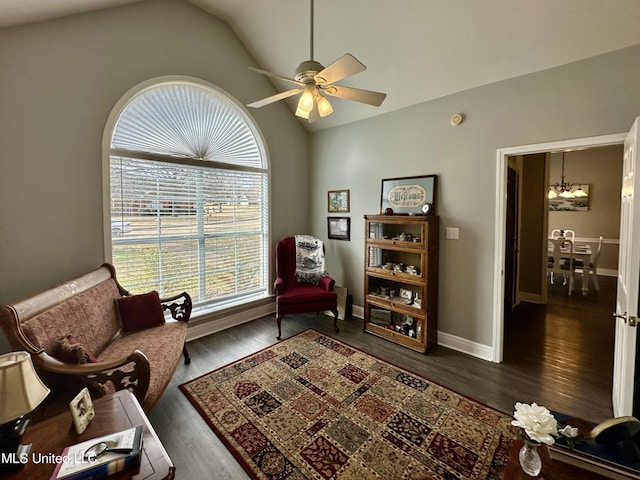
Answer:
[(113, 413)]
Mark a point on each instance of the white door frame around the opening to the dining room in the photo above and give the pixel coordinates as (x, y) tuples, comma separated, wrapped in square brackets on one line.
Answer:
[(502, 155)]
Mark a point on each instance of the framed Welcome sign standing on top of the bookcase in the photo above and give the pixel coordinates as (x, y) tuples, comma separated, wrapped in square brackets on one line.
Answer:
[(409, 195)]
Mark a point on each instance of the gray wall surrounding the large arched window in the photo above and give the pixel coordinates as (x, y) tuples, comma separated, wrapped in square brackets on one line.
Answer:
[(58, 82)]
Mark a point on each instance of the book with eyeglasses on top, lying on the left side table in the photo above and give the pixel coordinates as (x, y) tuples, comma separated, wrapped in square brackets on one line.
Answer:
[(101, 456)]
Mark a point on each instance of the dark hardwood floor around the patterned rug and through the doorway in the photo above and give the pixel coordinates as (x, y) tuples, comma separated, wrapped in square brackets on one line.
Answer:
[(559, 356)]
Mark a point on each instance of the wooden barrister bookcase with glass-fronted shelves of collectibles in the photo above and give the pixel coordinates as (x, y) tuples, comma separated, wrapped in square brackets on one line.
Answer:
[(401, 255)]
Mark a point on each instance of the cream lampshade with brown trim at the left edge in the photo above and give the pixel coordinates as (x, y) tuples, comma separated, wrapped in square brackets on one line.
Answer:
[(21, 390)]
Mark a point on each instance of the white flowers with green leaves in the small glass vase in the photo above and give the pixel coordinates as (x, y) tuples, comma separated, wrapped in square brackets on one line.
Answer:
[(540, 426)]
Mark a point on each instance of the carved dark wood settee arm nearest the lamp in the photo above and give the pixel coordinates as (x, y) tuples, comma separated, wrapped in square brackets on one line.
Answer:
[(135, 377)]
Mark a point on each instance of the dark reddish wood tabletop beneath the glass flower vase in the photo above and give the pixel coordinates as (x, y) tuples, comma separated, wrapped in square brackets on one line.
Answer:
[(551, 469)]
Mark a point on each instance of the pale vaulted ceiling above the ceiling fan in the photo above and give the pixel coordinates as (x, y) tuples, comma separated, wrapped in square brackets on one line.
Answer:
[(414, 50)]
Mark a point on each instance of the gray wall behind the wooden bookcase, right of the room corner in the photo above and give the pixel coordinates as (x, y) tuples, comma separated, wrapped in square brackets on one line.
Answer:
[(593, 97)]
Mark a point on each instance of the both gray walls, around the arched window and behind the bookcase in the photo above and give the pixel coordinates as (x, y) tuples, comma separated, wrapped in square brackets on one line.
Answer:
[(60, 79)]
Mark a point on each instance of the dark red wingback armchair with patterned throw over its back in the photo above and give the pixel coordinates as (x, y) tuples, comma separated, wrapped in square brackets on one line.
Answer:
[(301, 284)]
